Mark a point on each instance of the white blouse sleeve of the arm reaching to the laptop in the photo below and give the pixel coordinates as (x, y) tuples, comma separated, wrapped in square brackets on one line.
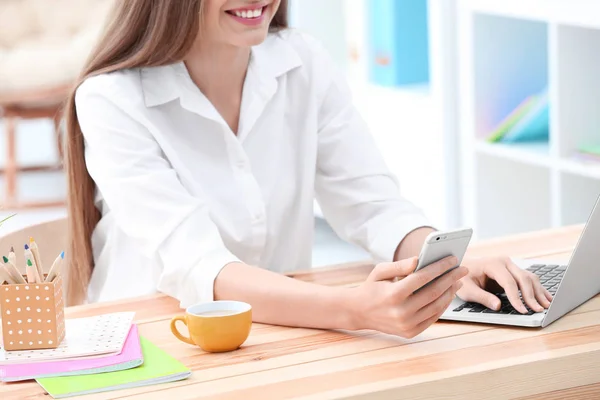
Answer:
[(358, 195)]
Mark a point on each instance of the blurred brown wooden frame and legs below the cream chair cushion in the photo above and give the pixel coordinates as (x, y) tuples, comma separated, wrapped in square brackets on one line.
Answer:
[(45, 103)]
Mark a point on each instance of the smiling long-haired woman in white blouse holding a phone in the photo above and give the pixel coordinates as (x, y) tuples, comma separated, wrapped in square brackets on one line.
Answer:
[(199, 136)]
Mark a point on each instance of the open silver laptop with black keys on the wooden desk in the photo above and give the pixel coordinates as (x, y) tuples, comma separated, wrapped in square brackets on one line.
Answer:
[(571, 285)]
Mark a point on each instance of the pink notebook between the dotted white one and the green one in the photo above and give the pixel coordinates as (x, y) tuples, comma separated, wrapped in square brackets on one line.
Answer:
[(130, 357)]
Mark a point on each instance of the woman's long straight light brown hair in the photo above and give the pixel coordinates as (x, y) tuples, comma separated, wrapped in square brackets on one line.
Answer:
[(139, 33)]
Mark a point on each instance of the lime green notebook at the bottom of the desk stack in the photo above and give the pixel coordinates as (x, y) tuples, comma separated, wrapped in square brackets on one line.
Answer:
[(158, 367)]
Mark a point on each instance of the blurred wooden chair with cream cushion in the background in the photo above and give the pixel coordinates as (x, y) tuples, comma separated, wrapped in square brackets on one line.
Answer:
[(43, 45)]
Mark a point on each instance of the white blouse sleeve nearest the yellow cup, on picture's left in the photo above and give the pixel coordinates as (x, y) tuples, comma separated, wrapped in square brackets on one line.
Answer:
[(148, 200)]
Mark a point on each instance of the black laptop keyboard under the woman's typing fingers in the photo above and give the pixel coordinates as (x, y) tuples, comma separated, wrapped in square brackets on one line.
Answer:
[(550, 277)]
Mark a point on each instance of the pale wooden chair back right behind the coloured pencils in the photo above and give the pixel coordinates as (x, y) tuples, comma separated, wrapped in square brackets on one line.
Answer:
[(51, 237)]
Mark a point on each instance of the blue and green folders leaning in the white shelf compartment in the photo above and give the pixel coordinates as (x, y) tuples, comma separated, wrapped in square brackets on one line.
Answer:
[(528, 122)]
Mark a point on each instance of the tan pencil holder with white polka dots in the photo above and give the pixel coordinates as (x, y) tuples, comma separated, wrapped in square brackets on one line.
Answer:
[(32, 315)]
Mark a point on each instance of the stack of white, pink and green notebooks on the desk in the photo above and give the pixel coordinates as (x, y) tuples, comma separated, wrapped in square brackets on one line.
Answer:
[(98, 354)]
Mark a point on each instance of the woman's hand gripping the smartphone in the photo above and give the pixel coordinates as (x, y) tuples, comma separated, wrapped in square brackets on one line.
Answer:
[(386, 301)]
